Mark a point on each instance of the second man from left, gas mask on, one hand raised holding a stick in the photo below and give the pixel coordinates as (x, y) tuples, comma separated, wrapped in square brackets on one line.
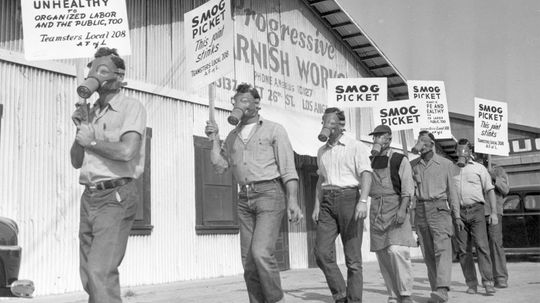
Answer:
[(262, 161)]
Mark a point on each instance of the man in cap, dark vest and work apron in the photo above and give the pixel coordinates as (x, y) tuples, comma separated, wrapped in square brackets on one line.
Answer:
[(390, 228)]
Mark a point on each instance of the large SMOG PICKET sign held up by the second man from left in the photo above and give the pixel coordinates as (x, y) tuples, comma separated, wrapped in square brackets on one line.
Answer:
[(209, 36)]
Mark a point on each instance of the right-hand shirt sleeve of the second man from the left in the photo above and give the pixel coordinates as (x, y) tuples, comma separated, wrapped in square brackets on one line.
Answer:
[(284, 155)]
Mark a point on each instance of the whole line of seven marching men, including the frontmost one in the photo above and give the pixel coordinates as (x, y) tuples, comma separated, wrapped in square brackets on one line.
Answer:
[(109, 150)]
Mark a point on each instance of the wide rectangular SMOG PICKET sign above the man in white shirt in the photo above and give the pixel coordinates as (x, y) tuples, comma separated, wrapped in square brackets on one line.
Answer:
[(356, 92)]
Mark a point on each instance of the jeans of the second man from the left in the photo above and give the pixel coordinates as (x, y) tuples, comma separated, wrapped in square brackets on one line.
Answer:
[(260, 211)]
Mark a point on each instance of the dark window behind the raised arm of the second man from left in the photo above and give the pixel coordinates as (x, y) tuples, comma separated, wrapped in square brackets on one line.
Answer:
[(215, 195)]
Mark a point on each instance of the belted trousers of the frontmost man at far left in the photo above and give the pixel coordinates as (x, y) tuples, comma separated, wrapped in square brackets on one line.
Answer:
[(105, 222)]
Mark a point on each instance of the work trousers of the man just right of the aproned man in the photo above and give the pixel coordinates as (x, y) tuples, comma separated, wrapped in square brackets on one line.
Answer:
[(434, 227)]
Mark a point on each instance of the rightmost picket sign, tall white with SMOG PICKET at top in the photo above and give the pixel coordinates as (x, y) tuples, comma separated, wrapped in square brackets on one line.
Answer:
[(490, 127)]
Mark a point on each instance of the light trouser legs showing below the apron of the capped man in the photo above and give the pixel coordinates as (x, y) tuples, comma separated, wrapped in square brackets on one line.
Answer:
[(396, 269)]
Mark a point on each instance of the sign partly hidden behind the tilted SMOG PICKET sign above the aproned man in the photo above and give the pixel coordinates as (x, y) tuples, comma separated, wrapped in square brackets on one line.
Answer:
[(433, 94)]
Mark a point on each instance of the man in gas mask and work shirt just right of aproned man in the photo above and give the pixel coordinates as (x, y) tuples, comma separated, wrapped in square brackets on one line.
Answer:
[(436, 205)]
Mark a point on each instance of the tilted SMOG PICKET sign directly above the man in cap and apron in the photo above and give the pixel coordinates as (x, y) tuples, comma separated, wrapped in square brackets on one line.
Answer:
[(401, 115)]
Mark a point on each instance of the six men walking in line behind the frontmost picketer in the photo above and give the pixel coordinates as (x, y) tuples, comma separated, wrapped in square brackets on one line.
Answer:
[(459, 201)]
